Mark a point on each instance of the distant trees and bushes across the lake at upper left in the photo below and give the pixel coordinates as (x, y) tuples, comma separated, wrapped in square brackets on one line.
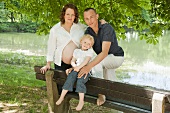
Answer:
[(13, 21)]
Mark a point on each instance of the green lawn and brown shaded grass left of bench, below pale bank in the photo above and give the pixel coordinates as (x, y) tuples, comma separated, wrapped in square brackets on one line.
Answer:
[(20, 91)]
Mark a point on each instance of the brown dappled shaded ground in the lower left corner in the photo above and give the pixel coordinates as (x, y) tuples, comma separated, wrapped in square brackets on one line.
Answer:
[(22, 100)]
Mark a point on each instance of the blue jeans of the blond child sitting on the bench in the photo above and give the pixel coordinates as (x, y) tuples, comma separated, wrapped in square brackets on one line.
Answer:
[(71, 79)]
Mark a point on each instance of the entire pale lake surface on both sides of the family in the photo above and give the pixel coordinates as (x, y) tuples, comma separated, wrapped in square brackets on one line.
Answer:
[(145, 64)]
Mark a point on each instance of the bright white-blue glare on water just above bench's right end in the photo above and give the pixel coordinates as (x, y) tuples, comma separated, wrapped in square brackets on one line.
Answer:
[(150, 74)]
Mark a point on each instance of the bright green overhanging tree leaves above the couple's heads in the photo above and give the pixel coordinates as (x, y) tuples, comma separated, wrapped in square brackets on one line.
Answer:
[(139, 15)]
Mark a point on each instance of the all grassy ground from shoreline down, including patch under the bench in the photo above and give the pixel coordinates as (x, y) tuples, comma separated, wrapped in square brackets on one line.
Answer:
[(20, 91)]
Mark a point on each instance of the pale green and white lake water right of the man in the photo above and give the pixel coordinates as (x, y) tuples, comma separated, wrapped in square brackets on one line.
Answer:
[(145, 64)]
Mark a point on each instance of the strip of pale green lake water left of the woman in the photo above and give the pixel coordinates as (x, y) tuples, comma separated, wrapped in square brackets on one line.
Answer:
[(27, 43)]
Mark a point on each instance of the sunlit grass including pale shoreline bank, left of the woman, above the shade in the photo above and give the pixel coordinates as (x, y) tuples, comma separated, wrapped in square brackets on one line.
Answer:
[(17, 69)]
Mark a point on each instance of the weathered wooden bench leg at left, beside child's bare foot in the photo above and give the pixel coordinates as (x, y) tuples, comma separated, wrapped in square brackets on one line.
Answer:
[(53, 95)]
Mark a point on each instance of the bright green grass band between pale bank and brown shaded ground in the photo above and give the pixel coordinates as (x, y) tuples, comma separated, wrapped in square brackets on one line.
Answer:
[(18, 76)]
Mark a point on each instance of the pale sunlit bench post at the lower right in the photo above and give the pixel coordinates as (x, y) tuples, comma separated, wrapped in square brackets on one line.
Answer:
[(158, 103)]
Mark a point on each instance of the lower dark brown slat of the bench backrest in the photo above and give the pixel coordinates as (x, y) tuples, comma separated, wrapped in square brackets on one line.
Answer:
[(116, 96)]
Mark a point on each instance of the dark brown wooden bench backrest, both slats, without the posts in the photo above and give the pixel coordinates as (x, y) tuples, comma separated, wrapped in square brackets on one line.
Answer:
[(132, 95)]
